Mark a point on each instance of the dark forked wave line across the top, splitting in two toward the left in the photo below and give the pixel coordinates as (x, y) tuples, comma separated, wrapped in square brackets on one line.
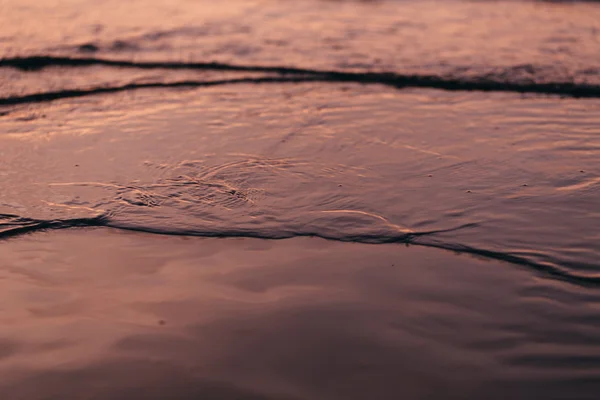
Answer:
[(279, 74)]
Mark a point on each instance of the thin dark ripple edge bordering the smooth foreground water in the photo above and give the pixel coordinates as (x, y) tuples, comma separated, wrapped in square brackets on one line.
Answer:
[(18, 226)]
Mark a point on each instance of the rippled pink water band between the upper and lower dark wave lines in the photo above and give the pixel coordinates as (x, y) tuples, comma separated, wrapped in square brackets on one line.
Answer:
[(493, 174)]
